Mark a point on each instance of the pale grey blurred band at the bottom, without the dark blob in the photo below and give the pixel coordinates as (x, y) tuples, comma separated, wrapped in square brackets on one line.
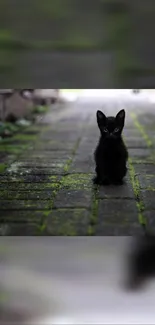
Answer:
[(70, 281)]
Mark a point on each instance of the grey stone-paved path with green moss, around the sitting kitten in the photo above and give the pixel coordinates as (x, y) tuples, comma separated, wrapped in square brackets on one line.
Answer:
[(47, 188)]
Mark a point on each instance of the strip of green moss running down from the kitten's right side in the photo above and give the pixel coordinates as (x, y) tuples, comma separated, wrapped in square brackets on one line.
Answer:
[(136, 189)]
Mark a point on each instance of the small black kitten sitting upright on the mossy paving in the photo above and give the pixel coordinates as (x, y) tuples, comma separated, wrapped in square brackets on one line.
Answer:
[(111, 154)]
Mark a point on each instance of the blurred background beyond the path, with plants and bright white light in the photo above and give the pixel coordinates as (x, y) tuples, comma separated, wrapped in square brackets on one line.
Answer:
[(22, 107)]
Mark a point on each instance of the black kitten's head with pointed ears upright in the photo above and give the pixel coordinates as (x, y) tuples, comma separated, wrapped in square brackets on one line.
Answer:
[(111, 127)]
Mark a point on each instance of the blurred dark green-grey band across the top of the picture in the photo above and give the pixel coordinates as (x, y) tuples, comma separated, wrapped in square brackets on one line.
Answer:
[(102, 43)]
